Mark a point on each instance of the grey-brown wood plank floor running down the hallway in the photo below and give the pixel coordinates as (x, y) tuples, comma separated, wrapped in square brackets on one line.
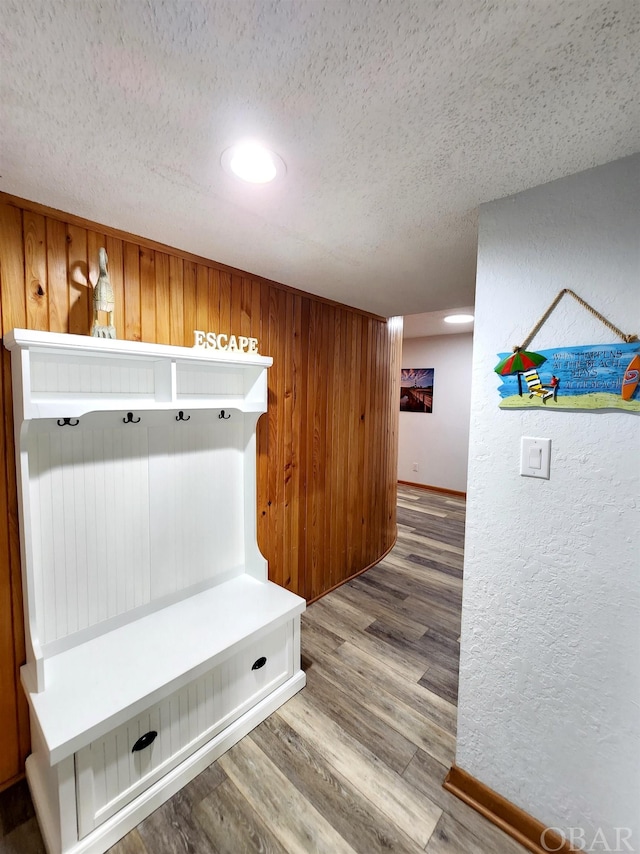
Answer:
[(355, 762)]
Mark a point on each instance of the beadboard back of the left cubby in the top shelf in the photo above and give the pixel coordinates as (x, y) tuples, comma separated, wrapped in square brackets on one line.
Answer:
[(66, 374)]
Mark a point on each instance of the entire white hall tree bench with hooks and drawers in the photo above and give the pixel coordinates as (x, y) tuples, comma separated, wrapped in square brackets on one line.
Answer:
[(154, 638)]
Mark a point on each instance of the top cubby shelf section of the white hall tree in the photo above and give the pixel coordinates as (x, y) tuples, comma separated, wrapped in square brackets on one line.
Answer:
[(67, 376)]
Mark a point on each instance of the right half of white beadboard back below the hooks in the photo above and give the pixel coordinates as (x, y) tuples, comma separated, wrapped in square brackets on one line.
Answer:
[(196, 481)]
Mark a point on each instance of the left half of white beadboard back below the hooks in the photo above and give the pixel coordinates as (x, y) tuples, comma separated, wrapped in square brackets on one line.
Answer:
[(90, 490)]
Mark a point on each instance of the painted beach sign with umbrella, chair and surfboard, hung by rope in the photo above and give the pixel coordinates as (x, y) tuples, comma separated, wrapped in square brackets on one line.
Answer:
[(596, 376)]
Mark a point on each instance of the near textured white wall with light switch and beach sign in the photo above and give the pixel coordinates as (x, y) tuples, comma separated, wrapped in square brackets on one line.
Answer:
[(550, 677)]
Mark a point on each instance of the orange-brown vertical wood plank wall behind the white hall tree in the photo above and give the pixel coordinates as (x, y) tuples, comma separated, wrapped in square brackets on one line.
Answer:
[(327, 448)]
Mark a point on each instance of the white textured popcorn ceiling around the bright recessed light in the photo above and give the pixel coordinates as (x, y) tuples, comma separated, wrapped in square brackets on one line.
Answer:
[(395, 119)]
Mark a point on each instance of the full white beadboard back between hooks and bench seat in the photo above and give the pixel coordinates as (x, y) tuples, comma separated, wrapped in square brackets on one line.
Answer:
[(98, 490)]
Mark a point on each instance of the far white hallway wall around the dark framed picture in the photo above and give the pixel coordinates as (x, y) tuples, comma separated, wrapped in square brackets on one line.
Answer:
[(439, 441)]
